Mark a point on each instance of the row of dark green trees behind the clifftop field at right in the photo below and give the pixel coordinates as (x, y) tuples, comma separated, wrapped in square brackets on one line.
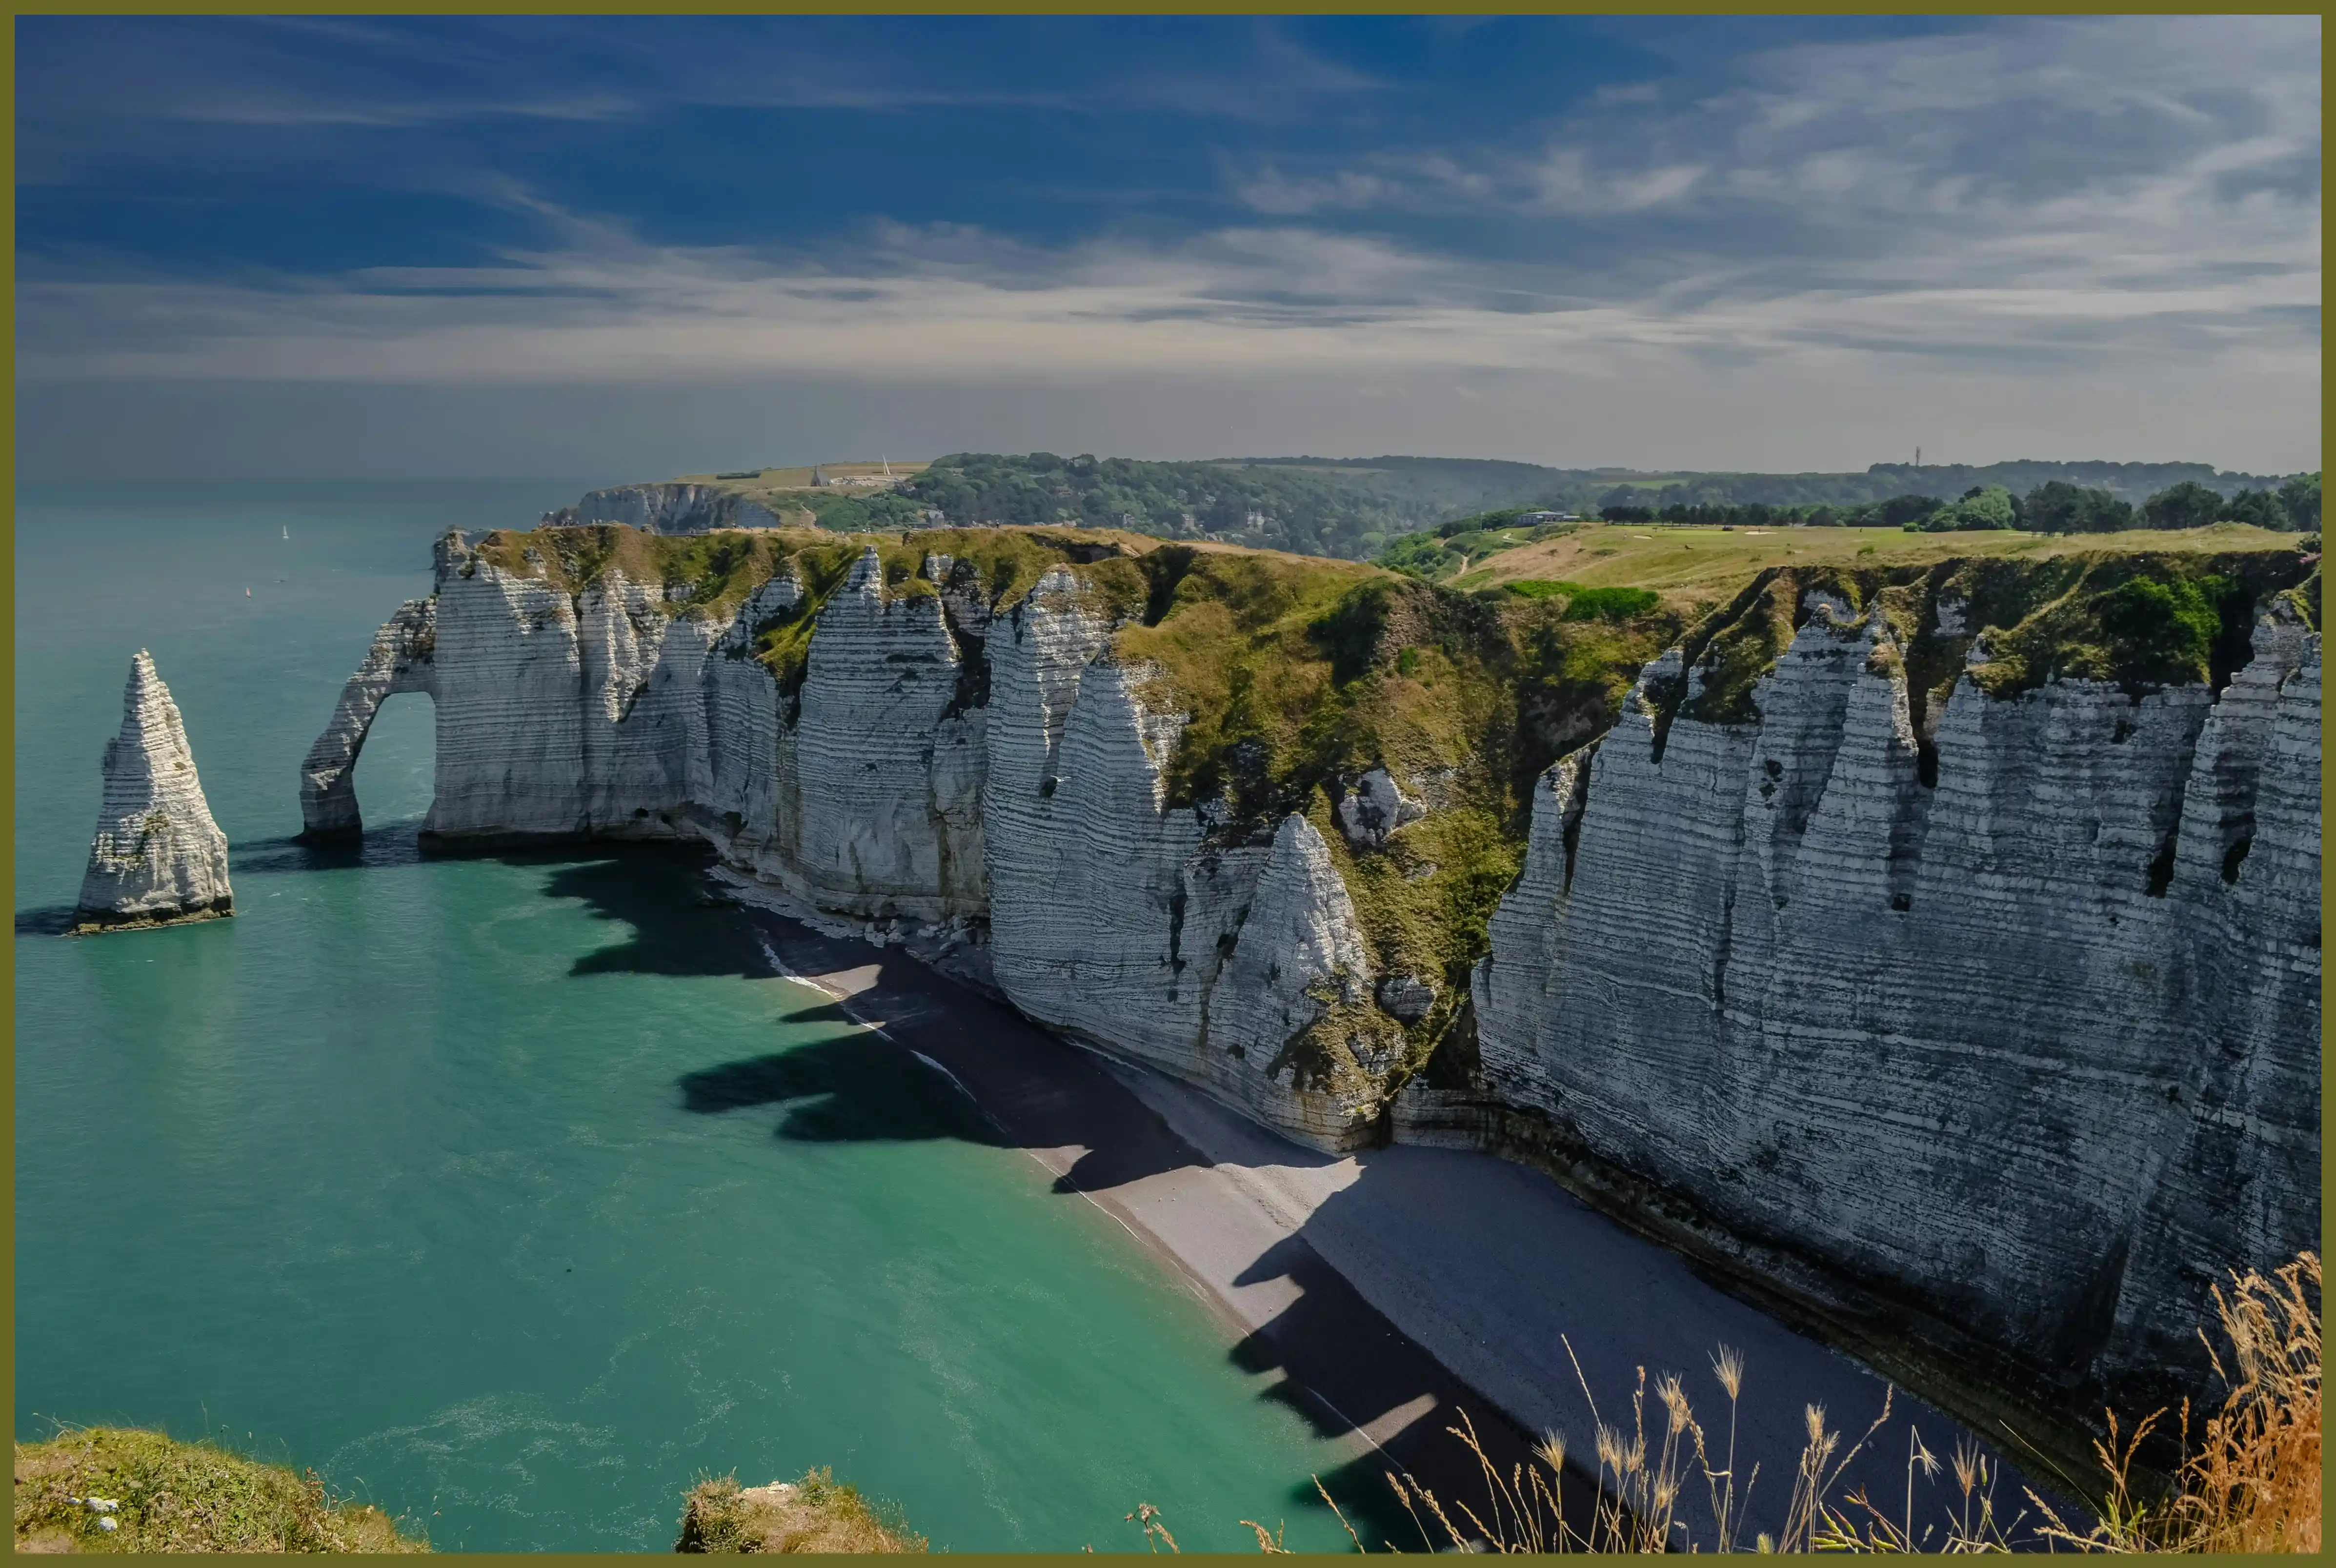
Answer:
[(2055, 506)]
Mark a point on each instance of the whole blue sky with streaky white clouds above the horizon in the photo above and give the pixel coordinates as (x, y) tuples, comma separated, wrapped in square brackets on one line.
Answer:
[(644, 247)]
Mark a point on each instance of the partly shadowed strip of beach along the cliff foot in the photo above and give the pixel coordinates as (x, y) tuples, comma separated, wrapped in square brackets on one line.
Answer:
[(1400, 1286)]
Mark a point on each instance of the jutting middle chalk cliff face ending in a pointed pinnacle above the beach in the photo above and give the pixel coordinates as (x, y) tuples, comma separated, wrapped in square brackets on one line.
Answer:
[(1132, 924)]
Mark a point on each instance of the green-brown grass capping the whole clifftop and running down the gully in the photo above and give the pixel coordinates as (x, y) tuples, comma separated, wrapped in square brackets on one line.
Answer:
[(1300, 674)]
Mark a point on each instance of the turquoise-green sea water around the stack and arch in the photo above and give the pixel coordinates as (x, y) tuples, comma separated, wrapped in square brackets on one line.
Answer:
[(394, 1174)]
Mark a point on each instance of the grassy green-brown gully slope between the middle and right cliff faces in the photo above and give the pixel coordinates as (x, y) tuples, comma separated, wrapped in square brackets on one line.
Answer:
[(1305, 674)]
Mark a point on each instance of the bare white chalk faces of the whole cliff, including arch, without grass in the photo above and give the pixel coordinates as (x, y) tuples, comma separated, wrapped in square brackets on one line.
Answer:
[(2026, 1036)]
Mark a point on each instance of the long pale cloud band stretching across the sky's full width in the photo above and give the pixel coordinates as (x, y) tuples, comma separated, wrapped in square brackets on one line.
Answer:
[(943, 300)]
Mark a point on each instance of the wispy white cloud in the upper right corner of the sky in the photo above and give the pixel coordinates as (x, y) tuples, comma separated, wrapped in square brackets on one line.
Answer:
[(1903, 144)]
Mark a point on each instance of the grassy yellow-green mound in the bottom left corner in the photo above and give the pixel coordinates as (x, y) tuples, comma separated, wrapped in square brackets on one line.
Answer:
[(123, 1490)]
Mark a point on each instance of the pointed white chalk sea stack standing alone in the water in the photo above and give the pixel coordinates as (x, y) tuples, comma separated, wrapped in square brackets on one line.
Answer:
[(158, 859)]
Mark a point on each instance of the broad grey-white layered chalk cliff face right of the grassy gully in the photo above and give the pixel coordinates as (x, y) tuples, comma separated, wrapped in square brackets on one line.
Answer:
[(2031, 1050)]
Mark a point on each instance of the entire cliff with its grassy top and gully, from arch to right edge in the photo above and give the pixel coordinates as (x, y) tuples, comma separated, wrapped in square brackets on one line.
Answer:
[(1942, 966)]
